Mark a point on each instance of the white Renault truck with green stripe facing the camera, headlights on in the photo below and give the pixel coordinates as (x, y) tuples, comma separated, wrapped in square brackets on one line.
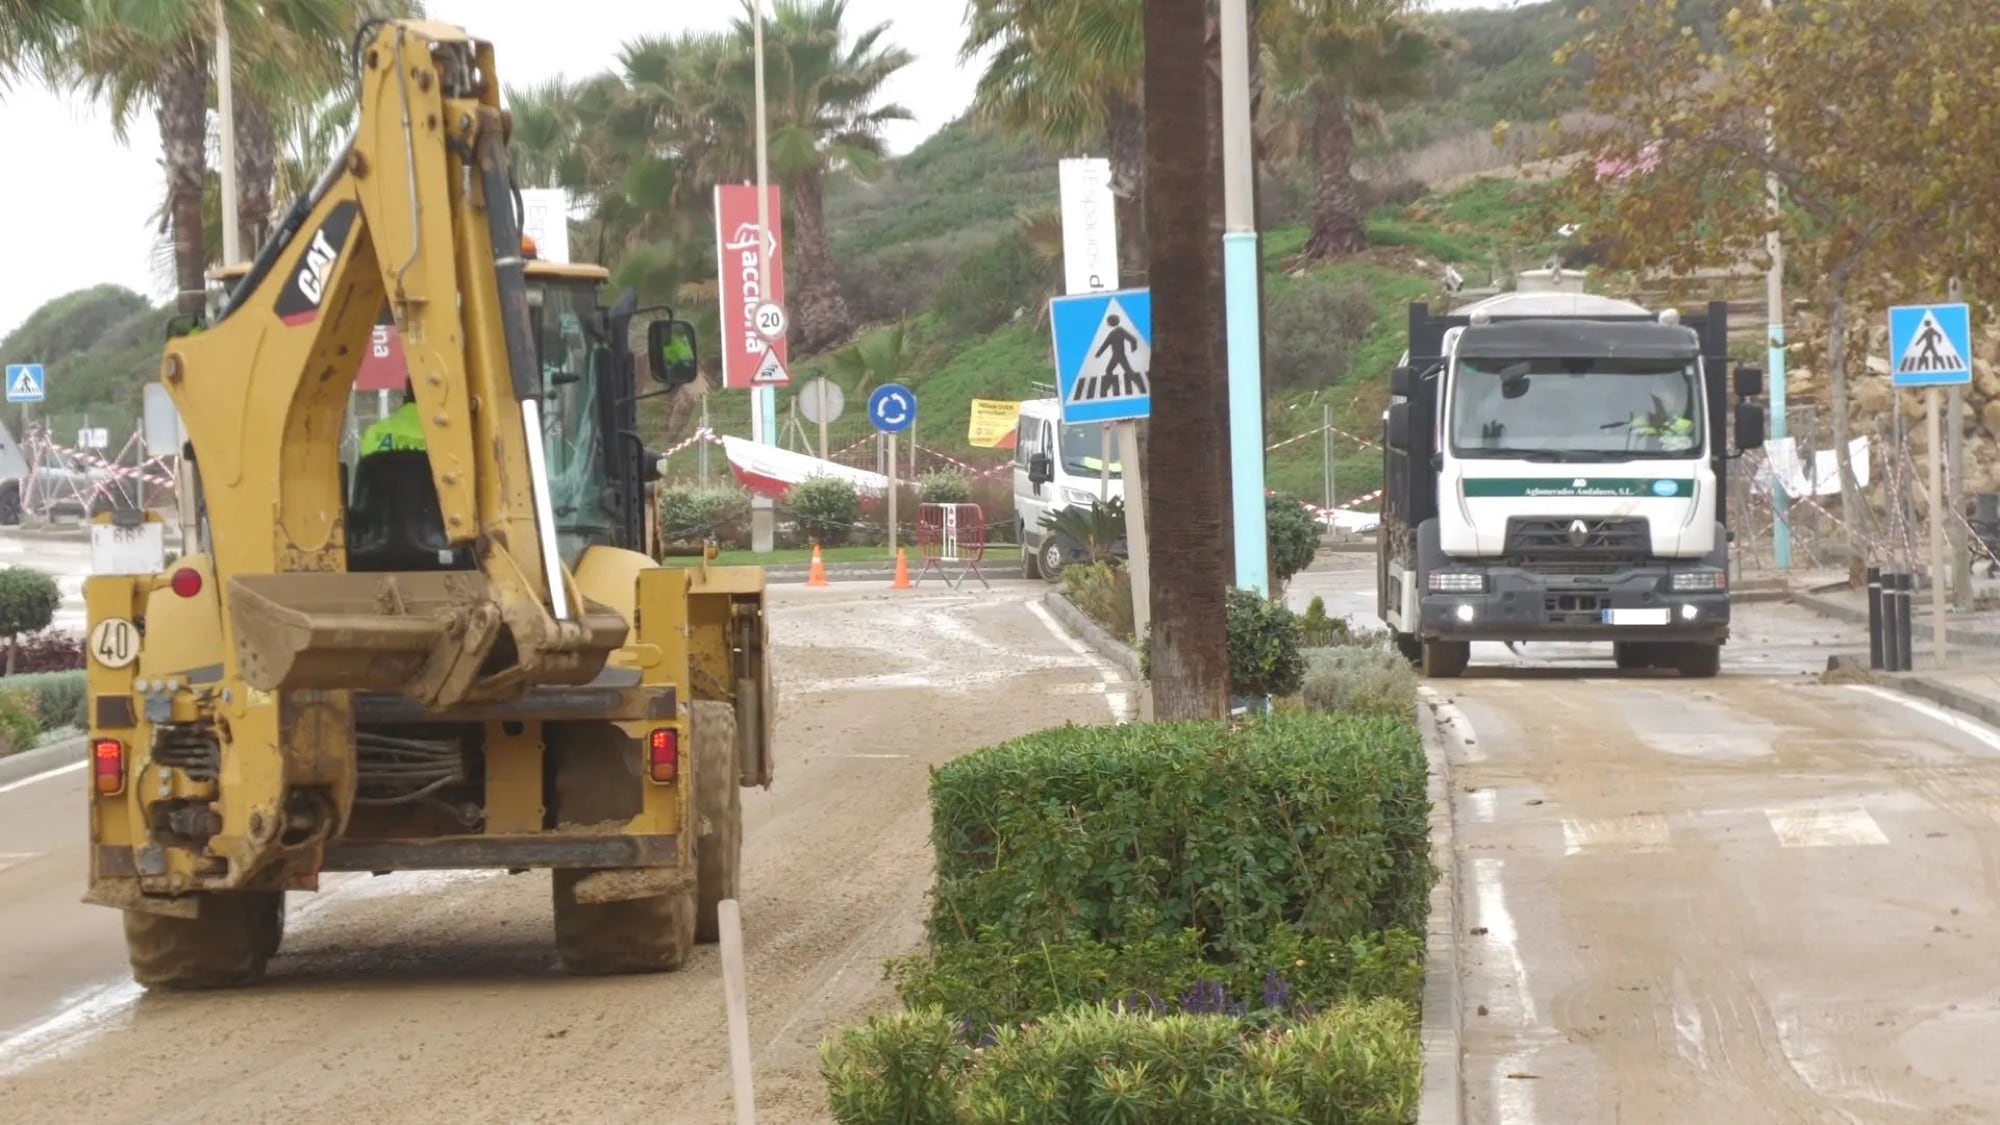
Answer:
[(1557, 469)]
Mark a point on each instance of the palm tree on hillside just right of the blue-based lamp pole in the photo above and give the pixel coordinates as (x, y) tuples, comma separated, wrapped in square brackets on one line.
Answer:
[(1333, 65)]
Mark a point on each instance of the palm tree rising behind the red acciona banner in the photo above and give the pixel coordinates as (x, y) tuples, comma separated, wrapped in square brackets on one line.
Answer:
[(823, 117)]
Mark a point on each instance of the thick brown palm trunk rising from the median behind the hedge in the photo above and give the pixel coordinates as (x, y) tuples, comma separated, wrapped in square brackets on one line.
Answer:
[(1185, 463)]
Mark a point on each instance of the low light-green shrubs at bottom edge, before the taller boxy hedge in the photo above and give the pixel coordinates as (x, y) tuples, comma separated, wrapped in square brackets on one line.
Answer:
[(1353, 1064)]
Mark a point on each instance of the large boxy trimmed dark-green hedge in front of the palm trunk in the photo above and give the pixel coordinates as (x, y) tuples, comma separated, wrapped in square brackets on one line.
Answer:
[(1121, 834)]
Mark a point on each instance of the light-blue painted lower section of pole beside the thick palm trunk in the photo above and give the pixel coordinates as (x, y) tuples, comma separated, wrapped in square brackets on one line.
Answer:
[(1247, 409)]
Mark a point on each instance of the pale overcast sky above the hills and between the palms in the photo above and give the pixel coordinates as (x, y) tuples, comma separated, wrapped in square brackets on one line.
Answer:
[(77, 203)]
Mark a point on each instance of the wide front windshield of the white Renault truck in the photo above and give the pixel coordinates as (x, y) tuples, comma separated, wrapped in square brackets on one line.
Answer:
[(1577, 409)]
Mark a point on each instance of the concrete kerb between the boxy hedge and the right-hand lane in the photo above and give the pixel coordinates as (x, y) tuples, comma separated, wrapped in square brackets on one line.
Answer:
[(1443, 1094)]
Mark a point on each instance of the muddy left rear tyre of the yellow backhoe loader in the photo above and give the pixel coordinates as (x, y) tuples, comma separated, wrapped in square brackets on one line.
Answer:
[(223, 948)]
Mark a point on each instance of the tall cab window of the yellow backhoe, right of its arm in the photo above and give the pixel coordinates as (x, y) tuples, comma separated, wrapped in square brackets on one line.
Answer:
[(575, 359)]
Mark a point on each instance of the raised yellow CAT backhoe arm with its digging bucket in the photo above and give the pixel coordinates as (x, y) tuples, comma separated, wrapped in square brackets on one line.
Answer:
[(417, 211)]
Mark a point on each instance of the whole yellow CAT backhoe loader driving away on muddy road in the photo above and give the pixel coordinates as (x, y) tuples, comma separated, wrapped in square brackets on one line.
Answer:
[(415, 660)]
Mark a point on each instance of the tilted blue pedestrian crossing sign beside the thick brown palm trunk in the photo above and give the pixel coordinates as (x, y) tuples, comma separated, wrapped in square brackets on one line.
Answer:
[(1103, 355)]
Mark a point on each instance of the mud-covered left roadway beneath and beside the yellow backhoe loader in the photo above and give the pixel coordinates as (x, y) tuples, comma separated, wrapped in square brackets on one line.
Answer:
[(437, 998)]
